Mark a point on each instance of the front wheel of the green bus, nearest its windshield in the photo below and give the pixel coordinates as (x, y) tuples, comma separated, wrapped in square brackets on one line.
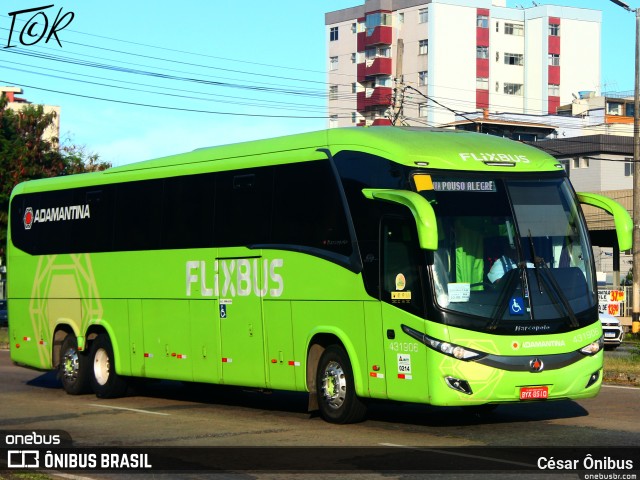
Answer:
[(337, 398)]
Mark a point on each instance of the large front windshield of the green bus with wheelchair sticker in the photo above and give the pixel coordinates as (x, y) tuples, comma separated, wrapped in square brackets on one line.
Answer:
[(510, 250)]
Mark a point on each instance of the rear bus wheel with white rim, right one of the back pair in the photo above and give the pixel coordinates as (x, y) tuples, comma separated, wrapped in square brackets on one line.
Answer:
[(105, 381)]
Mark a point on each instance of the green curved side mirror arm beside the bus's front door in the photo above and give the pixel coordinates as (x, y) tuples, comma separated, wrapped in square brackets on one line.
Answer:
[(420, 208)]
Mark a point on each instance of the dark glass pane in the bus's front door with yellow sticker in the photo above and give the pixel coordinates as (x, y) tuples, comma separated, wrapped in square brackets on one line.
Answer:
[(401, 260)]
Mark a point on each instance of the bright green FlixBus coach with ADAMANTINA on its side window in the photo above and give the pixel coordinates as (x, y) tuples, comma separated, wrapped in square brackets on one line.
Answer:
[(351, 264)]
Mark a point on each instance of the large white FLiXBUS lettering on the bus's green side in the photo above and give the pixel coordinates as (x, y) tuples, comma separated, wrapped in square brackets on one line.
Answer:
[(235, 277)]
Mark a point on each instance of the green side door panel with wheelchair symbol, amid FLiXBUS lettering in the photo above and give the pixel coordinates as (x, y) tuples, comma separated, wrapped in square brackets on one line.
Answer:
[(240, 312)]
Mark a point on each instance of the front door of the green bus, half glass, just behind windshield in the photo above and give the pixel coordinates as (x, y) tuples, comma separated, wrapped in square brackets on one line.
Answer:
[(402, 286)]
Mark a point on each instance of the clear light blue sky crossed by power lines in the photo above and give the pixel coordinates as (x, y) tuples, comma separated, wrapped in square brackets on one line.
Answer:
[(140, 79)]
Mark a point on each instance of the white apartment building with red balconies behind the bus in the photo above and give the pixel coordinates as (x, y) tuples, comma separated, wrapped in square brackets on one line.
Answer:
[(419, 61)]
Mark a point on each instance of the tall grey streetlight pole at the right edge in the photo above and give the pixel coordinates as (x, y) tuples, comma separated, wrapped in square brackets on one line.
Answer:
[(635, 313)]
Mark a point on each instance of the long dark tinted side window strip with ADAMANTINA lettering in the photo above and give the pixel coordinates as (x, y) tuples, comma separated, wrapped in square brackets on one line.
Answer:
[(294, 206)]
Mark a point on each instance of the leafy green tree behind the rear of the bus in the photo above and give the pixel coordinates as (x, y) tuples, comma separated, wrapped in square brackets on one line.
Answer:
[(27, 154)]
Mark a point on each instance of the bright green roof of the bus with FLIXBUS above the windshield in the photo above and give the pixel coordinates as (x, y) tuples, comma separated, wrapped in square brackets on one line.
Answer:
[(411, 146)]
